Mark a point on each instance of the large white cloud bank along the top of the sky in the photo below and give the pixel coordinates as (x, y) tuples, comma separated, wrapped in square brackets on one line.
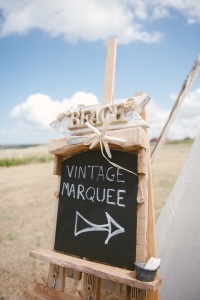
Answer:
[(92, 20)]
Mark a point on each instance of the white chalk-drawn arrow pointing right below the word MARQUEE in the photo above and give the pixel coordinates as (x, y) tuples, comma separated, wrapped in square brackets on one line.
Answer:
[(96, 227)]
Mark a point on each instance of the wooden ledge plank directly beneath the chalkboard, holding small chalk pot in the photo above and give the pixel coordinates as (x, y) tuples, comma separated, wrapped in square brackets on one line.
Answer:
[(97, 269)]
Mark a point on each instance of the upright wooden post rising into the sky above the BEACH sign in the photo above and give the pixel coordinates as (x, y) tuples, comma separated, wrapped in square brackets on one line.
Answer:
[(110, 70)]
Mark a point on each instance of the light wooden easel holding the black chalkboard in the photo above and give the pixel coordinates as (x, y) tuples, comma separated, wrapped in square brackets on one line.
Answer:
[(96, 275)]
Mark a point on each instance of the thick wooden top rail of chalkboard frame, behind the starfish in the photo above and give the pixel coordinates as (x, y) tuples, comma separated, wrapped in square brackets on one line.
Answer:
[(135, 138)]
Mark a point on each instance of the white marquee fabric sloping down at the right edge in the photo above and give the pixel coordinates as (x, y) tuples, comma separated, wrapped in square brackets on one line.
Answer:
[(178, 234)]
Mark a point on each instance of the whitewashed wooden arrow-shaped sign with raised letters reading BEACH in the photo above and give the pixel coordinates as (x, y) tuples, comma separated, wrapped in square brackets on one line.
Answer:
[(125, 112)]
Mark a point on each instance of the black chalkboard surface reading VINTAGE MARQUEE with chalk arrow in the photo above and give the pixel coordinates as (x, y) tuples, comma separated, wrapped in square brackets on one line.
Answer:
[(97, 208)]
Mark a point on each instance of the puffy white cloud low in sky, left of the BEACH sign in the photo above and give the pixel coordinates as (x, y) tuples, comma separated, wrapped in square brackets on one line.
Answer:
[(39, 110)]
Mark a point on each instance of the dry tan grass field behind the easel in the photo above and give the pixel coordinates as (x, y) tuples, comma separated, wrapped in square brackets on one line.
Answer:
[(27, 209)]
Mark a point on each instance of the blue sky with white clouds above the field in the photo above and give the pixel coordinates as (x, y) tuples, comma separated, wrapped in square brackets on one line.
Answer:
[(50, 51)]
